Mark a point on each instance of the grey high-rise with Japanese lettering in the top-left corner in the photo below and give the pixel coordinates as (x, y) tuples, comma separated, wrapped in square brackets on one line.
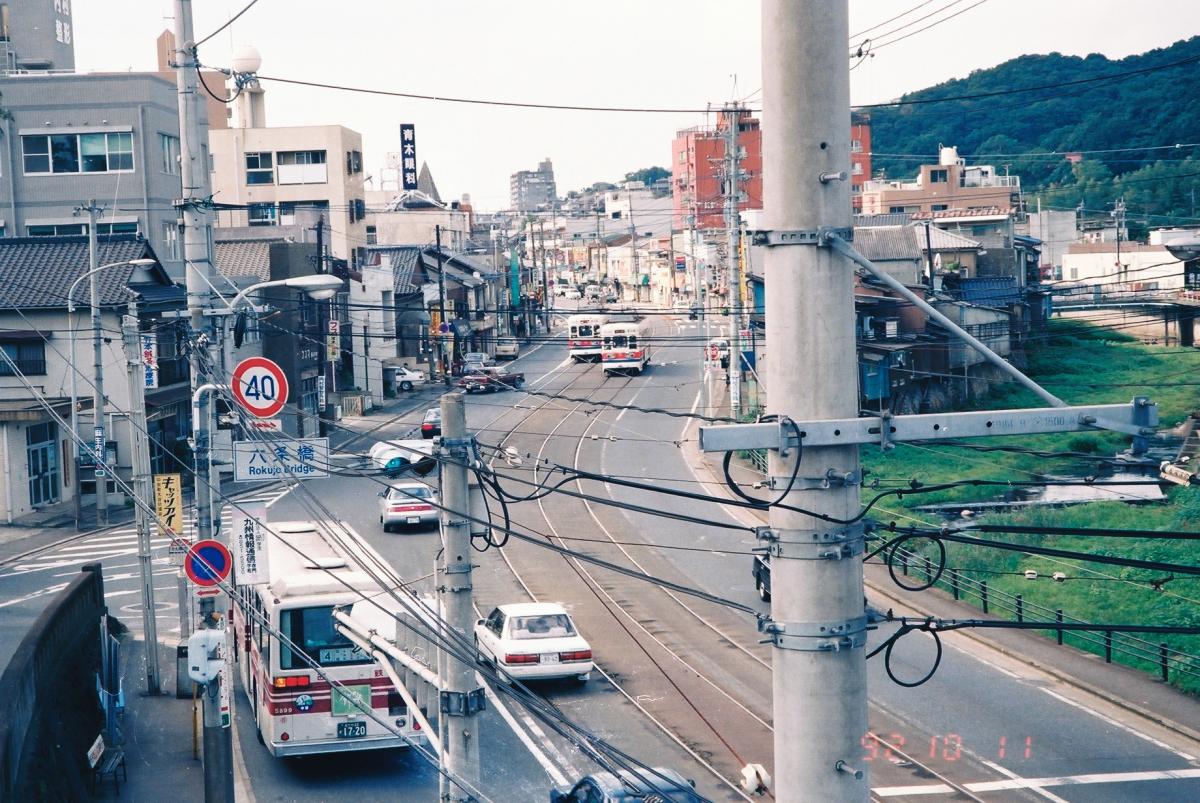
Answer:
[(37, 35)]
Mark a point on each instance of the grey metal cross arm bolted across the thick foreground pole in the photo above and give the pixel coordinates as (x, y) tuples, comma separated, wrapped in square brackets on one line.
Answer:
[(1137, 418)]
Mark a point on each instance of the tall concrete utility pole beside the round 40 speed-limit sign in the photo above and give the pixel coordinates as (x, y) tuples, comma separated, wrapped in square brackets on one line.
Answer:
[(197, 236)]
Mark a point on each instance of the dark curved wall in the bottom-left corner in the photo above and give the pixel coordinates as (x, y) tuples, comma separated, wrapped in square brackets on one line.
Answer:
[(37, 691)]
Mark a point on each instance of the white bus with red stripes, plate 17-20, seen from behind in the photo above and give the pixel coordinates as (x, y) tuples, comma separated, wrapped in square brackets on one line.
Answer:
[(297, 710)]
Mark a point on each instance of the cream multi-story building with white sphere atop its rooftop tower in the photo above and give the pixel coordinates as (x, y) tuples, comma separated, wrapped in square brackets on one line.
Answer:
[(291, 176)]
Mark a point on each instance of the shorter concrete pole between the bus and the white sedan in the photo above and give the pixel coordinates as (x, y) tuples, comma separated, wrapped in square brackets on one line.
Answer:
[(461, 699)]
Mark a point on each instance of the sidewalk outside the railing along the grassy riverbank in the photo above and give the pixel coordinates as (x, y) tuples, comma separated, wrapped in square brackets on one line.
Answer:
[(1120, 686)]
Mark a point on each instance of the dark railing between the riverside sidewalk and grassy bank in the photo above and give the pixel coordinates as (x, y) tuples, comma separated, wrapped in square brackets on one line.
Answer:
[(1138, 652)]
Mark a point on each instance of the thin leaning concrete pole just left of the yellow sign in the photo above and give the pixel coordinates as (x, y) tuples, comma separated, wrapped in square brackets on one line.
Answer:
[(141, 462)]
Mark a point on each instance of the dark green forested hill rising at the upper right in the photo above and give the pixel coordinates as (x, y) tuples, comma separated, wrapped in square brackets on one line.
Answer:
[(1075, 105)]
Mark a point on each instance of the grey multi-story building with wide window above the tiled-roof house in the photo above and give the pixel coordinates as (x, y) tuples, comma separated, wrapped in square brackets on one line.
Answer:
[(106, 137)]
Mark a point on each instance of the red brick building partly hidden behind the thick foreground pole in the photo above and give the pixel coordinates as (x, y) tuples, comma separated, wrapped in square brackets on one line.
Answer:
[(698, 161)]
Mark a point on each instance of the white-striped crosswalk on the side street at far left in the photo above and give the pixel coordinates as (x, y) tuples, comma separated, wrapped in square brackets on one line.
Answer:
[(117, 550)]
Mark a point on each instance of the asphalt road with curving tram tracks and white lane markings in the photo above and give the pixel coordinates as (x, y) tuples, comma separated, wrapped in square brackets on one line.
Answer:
[(982, 720)]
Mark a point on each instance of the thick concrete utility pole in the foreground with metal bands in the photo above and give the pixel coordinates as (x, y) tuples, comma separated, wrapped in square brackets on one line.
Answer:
[(820, 696)]
